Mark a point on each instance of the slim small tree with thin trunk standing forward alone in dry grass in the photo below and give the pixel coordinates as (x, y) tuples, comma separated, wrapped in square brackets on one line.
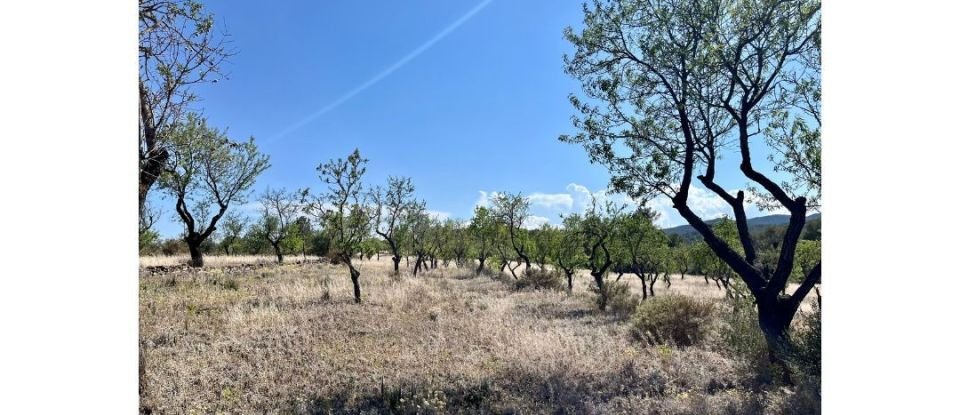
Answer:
[(342, 210)]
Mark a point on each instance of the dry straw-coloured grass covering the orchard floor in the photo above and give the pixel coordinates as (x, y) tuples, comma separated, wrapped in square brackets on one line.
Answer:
[(290, 340)]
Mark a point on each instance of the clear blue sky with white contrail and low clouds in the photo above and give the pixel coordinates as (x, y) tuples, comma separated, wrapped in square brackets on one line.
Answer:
[(467, 97)]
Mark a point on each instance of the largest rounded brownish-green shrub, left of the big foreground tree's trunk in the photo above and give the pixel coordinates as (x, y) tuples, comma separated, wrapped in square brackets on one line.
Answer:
[(672, 319)]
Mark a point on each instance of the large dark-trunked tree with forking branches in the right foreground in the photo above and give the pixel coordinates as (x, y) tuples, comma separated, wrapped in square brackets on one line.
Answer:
[(673, 86)]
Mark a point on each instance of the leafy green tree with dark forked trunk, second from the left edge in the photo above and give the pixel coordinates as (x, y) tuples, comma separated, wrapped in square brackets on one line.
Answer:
[(207, 173)]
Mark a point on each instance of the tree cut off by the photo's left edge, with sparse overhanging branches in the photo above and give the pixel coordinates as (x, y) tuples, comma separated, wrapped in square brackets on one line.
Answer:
[(178, 49)]
